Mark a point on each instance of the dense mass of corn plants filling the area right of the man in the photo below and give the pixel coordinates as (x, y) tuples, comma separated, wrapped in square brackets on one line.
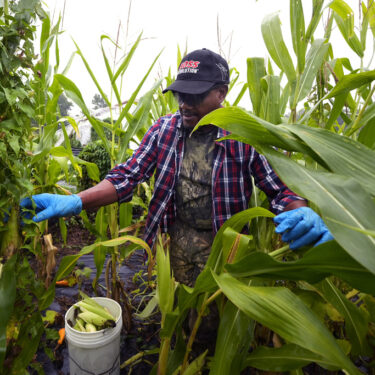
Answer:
[(298, 128)]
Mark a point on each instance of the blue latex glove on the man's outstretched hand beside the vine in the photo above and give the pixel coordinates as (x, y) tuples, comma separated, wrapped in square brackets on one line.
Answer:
[(53, 205)]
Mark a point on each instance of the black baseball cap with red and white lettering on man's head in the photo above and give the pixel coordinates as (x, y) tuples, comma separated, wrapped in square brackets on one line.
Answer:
[(199, 71)]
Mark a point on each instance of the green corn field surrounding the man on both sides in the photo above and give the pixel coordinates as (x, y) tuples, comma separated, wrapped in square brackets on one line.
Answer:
[(312, 115)]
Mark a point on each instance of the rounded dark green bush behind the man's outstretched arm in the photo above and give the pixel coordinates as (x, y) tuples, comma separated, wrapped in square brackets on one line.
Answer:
[(96, 153)]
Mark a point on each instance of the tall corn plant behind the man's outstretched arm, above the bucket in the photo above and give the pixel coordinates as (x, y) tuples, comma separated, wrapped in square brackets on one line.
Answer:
[(130, 126)]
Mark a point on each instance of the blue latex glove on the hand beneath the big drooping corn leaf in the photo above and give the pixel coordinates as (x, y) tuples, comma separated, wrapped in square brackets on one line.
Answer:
[(301, 227)]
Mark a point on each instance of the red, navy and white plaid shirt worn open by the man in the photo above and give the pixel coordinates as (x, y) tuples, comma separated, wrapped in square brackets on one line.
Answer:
[(161, 151)]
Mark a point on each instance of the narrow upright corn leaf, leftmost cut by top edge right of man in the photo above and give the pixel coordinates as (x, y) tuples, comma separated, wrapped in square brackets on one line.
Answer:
[(297, 26)]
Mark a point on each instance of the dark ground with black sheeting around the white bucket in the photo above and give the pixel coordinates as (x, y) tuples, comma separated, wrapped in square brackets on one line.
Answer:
[(143, 335)]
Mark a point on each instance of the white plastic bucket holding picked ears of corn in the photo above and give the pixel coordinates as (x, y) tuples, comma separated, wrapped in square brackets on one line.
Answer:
[(94, 353)]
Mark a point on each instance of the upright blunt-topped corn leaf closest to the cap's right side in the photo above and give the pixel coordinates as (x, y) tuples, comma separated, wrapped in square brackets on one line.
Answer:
[(255, 72)]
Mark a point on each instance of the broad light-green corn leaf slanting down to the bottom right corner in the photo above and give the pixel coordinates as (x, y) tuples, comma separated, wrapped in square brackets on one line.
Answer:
[(270, 305)]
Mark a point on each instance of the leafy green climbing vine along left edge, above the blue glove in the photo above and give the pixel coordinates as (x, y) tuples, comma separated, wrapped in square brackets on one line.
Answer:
[(16, 98)]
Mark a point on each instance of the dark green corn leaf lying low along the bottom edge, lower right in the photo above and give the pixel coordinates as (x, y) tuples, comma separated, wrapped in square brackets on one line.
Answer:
[(287, 358)]
